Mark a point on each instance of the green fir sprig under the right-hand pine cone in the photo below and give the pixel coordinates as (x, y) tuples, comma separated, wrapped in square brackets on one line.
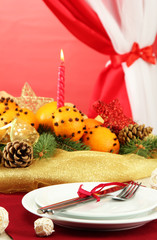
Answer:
[(146, 147)]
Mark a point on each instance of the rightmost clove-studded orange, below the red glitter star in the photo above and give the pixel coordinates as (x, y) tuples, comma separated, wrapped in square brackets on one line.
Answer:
[(101, 139)]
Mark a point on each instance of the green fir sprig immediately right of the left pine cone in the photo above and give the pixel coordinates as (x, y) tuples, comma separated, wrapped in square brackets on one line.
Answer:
[(45, 147)]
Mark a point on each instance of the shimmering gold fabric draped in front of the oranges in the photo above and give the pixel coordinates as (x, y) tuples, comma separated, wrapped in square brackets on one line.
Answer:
[(80, 166)]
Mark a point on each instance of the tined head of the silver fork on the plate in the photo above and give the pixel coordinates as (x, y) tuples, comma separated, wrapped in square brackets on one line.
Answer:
[(128, 191)]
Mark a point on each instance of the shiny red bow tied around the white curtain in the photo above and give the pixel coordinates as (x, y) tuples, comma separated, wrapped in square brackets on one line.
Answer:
[(136, 52)]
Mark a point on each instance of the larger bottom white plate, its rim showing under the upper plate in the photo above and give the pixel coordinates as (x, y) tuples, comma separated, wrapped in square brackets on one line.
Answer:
[(29, 204)]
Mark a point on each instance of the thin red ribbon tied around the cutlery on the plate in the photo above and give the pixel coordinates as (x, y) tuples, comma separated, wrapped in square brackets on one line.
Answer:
[(96, 190)]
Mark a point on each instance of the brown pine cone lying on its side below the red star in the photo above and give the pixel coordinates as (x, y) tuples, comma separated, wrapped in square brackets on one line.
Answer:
[(133, 131)]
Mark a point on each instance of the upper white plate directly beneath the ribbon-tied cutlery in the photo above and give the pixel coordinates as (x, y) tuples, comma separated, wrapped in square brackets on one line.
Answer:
[(144, 200)]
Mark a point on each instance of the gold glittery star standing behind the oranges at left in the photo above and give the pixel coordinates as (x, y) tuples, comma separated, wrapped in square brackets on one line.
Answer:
[(29, 100)]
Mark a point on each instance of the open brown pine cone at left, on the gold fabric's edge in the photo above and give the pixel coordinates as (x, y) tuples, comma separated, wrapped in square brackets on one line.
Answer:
[(17, 154)]
